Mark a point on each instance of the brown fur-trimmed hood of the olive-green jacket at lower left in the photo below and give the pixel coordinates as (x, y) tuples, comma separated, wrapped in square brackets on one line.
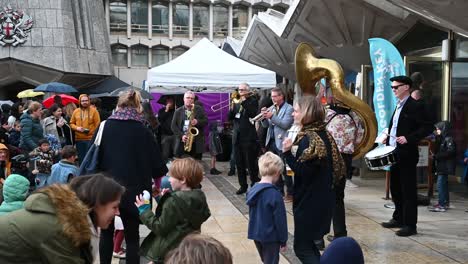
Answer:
[(71, 213)]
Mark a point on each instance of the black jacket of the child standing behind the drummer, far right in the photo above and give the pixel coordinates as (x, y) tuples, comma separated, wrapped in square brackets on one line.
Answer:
[(445, 154)]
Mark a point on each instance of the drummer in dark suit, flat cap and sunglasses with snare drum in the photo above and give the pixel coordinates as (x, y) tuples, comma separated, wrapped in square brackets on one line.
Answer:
[(409, 124)]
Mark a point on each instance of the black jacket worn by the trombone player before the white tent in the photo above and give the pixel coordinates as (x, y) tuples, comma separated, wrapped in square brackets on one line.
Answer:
[(244, 131)]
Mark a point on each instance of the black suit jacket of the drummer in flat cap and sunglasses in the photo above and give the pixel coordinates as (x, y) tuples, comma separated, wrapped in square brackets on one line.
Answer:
[(415, 124)]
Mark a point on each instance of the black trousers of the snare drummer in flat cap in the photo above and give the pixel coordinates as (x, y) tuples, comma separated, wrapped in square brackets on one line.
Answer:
[(404, 192)]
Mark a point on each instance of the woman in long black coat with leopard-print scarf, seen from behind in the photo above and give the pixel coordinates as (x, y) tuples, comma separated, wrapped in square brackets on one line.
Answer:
[(317, 166)]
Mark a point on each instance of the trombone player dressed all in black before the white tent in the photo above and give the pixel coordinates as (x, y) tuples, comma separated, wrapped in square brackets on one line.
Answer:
[(245, 137)]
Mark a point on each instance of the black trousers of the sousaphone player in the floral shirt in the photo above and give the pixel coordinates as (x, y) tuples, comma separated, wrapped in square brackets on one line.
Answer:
[(339, 215)]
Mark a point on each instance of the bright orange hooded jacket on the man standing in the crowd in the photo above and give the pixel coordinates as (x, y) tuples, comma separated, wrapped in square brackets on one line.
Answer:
[(85, 118)]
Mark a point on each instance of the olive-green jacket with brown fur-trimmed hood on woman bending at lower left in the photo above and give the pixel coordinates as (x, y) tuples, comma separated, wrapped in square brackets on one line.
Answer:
[(53, 227)]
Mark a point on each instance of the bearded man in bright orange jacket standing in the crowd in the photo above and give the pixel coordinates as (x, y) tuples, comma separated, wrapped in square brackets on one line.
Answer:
[(84, 121)]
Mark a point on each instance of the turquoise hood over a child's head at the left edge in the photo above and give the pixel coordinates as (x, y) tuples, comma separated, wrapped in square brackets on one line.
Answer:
[(15, 189)]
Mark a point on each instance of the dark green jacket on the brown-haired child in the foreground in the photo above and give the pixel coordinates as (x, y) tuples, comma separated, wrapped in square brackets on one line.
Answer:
[(177, 215)]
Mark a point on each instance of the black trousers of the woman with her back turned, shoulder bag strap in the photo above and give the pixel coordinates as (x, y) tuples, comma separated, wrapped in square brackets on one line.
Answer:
[(131, 222)]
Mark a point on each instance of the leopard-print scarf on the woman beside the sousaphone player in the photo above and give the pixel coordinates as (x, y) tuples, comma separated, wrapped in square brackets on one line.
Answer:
[(318, 150)]
